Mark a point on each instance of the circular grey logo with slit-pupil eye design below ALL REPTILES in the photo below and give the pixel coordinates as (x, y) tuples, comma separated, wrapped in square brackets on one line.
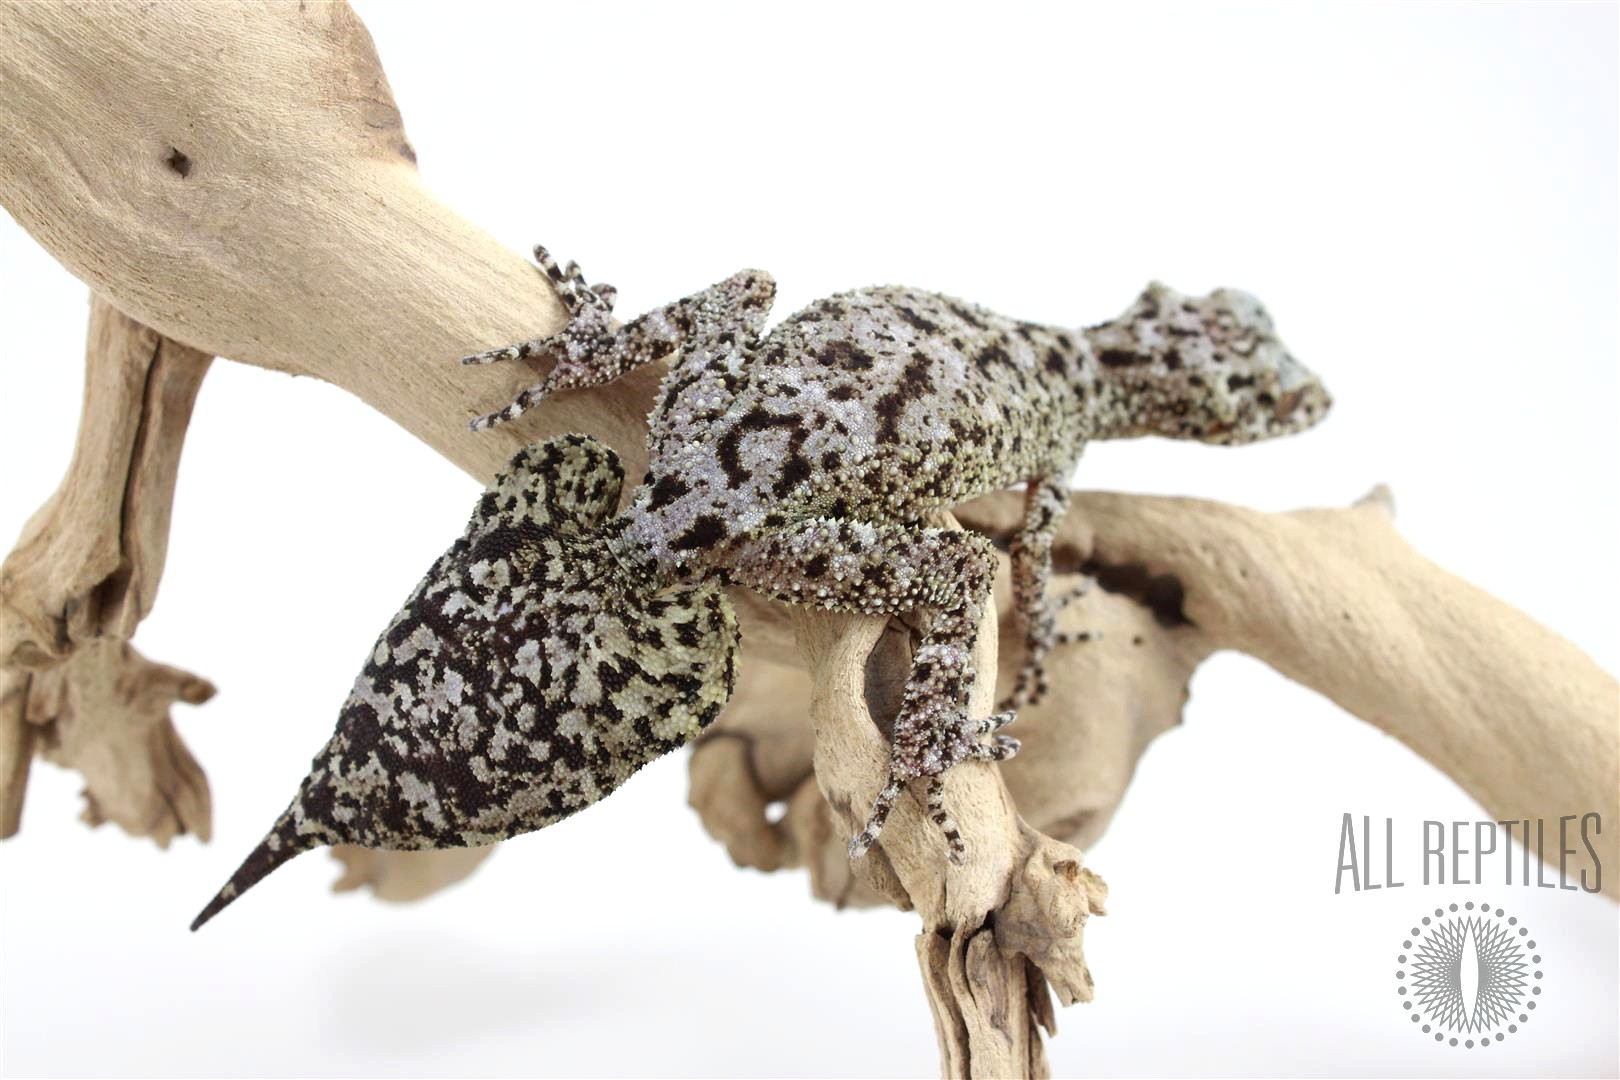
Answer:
[(1469, 976)]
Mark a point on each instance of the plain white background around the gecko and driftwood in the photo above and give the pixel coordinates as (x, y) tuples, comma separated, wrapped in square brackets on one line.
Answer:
[(1423, 197)]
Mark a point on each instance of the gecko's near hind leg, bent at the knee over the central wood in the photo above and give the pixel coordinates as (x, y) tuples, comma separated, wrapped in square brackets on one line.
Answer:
[(885, 571)]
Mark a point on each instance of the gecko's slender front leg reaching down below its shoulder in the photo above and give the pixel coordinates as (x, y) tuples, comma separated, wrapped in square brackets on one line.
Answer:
[(1046, 503)]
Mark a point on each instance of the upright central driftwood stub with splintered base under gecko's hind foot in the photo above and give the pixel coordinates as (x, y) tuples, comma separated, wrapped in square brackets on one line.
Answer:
[(1000, 927)]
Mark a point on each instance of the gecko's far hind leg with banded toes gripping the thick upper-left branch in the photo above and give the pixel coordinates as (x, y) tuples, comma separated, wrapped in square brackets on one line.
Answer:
[(590, 352)]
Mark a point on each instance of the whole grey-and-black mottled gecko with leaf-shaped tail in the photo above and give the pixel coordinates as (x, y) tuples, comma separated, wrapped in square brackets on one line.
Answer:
[(561, 644)]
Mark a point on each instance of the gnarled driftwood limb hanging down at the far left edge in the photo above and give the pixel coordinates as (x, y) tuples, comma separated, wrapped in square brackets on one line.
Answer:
[(83, 574)]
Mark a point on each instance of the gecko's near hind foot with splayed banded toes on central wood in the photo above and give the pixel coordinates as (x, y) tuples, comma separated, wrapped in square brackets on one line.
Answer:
[(927, 744)]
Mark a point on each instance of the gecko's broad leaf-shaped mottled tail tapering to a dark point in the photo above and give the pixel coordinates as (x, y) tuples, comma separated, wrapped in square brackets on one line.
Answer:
[(529, 676)]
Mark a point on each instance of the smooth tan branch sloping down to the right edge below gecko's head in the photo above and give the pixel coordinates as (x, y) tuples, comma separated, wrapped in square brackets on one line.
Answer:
[(1336, 600)]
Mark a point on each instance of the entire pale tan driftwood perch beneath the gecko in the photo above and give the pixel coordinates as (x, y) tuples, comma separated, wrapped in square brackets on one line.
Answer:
[(236, 181)]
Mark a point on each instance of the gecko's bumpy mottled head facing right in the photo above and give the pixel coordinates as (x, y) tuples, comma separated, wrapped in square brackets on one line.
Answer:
[(1208, 368)]
